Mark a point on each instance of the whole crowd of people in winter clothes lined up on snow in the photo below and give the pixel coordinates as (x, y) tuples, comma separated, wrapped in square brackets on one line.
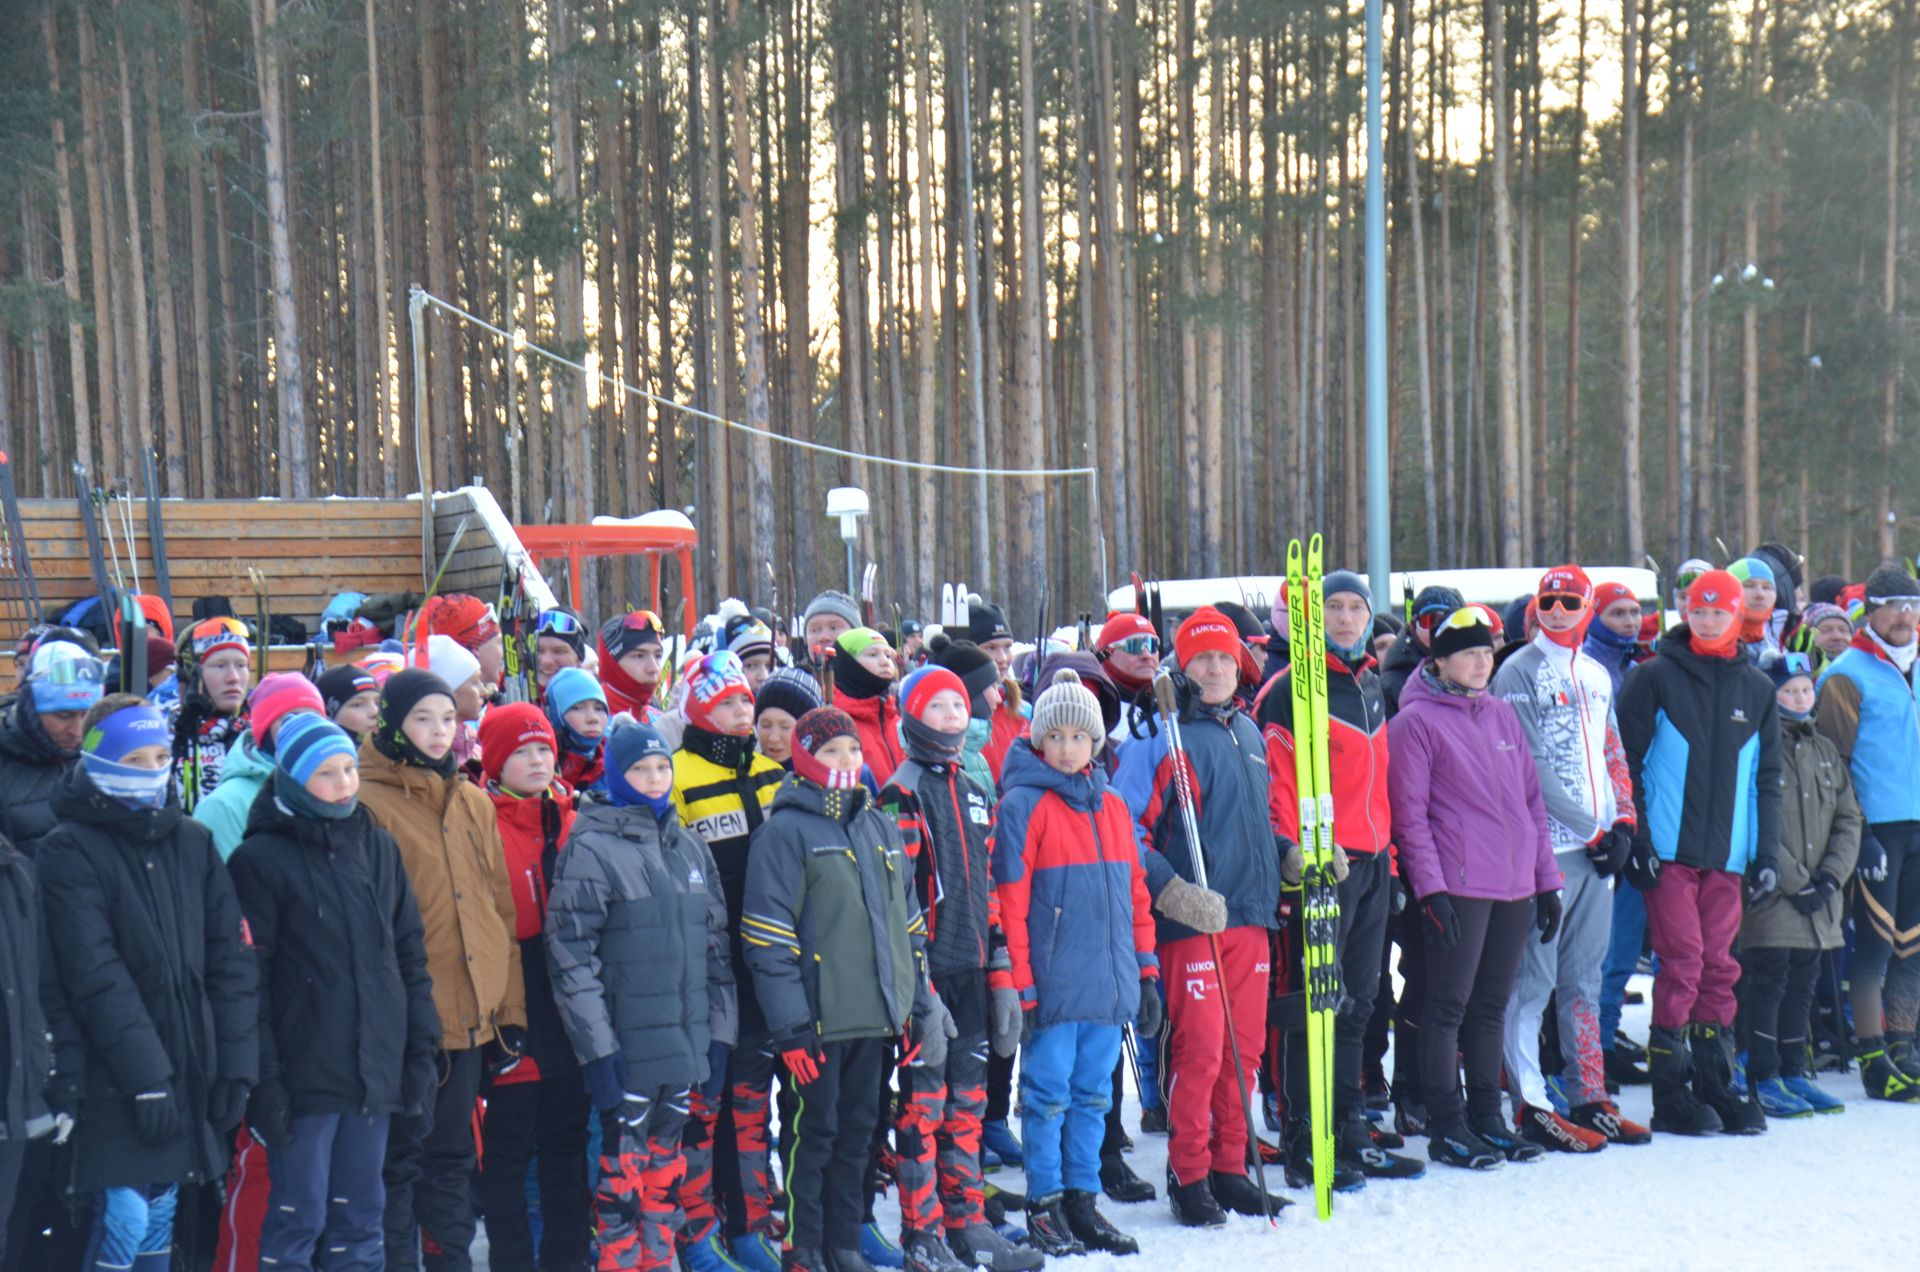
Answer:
[(706, 946)]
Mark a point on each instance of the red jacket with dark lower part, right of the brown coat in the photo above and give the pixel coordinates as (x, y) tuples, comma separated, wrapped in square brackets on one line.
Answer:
[(533, 835)]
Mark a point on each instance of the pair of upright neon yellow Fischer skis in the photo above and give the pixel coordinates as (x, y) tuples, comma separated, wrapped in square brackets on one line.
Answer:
[(1320, 898)]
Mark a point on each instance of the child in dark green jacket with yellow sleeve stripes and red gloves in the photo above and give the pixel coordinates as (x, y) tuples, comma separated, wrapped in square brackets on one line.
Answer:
[(836, 946)]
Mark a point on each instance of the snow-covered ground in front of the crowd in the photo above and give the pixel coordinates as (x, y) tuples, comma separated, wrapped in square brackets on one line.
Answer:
[(1827, 1192)]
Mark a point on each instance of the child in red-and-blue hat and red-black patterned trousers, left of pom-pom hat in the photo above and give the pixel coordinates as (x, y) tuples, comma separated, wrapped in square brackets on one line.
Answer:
[(946, 821)]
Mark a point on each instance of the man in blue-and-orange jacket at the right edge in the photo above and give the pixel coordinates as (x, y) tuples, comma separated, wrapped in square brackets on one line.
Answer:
[(1867, 708)]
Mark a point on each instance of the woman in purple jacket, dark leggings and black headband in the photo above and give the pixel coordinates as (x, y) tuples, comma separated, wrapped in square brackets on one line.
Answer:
[(1474, 844)]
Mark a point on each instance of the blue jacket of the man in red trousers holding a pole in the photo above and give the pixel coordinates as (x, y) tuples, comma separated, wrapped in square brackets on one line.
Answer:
[(1243, 854)]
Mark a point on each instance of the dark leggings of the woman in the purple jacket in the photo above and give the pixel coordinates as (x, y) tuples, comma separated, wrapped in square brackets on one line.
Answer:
[(1468, 991)]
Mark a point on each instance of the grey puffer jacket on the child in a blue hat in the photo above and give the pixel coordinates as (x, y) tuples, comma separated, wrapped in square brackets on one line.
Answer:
[(638, 946)]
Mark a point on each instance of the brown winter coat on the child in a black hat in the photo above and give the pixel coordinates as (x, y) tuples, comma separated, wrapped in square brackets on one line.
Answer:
[(450, 843)]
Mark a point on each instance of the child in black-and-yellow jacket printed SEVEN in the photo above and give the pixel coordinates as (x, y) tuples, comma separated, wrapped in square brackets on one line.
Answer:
[(721, 791)]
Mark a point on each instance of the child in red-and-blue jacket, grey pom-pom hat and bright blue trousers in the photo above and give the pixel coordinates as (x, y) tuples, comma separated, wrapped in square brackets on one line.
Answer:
[(1082, 939)]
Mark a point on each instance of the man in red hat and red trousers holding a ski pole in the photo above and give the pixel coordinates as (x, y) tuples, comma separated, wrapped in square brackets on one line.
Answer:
[(1228, 775)]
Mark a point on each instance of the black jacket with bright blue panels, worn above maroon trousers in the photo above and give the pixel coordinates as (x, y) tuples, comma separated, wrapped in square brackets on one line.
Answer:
[(1702, 743)]
